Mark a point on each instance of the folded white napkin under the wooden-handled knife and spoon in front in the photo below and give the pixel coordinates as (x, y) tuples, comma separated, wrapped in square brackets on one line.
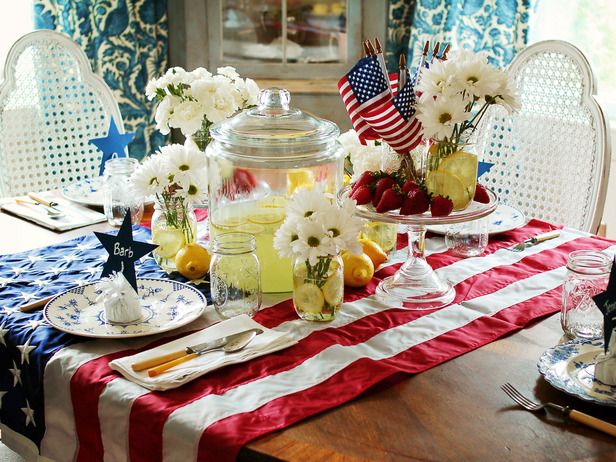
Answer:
[(264, 343)]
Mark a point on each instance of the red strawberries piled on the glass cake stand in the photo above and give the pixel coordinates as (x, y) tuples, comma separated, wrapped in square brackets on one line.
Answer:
[(388, 192)]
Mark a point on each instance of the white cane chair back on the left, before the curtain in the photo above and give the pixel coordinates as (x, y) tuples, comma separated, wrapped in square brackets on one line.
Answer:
[(51, 105)]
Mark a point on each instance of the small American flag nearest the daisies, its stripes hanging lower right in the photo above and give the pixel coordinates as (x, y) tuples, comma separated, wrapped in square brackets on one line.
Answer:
[(394, 121)]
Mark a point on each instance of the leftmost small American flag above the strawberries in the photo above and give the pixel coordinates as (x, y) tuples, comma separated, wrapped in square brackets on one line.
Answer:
[(364, 88)]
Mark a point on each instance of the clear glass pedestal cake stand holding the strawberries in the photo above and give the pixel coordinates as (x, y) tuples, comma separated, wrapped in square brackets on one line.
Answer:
[(415, 285)]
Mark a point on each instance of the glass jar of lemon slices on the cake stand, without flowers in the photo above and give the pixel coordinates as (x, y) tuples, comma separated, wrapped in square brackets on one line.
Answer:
[(451, 171)]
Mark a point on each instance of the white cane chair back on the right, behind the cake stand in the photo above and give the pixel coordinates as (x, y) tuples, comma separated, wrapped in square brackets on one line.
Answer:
[(551, 158)]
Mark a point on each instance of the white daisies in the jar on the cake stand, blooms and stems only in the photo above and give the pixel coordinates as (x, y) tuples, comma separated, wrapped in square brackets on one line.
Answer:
[(456, 93)]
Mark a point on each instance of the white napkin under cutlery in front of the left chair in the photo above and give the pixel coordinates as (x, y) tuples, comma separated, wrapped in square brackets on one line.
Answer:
[(75, 215)]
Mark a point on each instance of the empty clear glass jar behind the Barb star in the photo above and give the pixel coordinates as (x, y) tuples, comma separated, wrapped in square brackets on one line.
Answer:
[(119, 197)]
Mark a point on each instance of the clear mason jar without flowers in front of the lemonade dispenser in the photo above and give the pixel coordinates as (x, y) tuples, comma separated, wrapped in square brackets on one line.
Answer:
[(235, 275)]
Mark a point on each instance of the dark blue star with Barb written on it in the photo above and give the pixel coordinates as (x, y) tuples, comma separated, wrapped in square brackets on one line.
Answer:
[(123, 251)]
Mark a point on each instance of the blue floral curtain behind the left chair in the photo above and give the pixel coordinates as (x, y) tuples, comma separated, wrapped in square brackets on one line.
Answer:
[(126, 42)]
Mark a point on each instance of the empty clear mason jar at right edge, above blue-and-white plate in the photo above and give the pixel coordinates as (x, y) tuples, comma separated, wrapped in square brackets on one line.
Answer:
[(588, 273)]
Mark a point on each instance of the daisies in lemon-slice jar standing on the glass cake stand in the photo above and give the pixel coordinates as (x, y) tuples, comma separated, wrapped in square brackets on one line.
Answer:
[(455, 95)]
